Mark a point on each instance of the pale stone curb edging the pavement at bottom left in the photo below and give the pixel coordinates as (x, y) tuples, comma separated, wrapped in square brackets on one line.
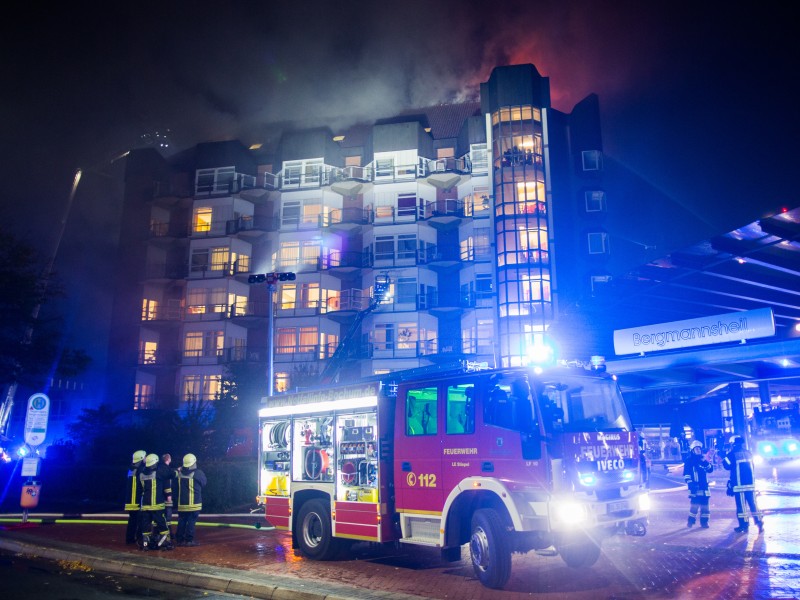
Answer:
[(204, 577)]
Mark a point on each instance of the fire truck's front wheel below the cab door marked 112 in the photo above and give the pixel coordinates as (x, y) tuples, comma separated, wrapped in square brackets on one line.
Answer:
[(489, 549)]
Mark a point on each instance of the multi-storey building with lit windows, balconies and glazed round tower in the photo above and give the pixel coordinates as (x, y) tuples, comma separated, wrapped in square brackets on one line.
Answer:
[(484, 220)]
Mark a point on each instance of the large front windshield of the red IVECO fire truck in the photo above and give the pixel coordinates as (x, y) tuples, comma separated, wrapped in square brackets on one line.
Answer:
[(582, 404)]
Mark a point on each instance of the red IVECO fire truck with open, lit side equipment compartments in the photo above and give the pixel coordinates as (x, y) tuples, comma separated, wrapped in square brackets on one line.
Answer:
[(506, 461)]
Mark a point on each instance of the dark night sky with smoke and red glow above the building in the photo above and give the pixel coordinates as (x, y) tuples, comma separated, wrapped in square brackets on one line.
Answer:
[(698, 98)]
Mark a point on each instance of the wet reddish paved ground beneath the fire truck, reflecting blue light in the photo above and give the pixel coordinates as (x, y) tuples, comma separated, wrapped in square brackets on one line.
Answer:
[(672, 561)]
